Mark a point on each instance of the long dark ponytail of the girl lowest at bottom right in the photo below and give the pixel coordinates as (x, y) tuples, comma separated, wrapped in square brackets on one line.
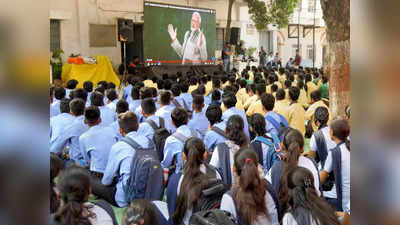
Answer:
[(303, 198)]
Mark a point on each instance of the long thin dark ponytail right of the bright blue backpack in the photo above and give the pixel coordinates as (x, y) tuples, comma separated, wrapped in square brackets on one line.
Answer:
[(293, 143)]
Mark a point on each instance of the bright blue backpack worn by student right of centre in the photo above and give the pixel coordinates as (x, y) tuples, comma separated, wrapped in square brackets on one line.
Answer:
[(274, 152)]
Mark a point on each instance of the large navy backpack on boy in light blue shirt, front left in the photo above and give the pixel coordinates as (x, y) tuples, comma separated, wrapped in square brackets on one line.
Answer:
[(146, 180)]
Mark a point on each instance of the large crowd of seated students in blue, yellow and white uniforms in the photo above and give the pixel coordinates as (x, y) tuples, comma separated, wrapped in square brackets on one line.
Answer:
[(239, 136)]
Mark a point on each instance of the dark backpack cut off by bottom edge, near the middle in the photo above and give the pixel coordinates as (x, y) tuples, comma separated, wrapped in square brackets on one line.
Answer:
[(212, 217)]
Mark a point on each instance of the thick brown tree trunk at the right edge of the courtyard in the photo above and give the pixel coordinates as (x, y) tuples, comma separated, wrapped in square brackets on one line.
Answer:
[(336, 14)]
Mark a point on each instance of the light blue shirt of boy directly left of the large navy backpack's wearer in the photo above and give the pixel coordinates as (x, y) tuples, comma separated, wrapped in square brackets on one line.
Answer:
[(95, 144)]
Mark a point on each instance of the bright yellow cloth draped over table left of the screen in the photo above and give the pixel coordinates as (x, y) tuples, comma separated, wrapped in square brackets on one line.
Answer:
[(103, 70)]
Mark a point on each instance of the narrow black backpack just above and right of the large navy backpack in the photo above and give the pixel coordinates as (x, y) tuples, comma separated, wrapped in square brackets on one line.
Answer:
[(160, 135)]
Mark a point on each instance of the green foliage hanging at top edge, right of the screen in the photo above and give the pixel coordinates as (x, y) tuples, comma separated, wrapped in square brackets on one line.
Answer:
[(275, 12)]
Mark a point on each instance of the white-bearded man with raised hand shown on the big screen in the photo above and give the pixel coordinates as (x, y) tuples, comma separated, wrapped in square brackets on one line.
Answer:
[(194, 48)]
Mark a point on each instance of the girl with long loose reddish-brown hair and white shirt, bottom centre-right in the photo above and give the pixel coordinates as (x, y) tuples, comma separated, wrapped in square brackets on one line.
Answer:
[(249, 200)]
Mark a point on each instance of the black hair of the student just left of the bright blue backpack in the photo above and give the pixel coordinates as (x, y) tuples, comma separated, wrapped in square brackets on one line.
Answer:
[(234, 130)]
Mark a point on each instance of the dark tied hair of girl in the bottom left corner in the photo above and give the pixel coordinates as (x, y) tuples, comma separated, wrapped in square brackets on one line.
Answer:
[(74, 185)]
